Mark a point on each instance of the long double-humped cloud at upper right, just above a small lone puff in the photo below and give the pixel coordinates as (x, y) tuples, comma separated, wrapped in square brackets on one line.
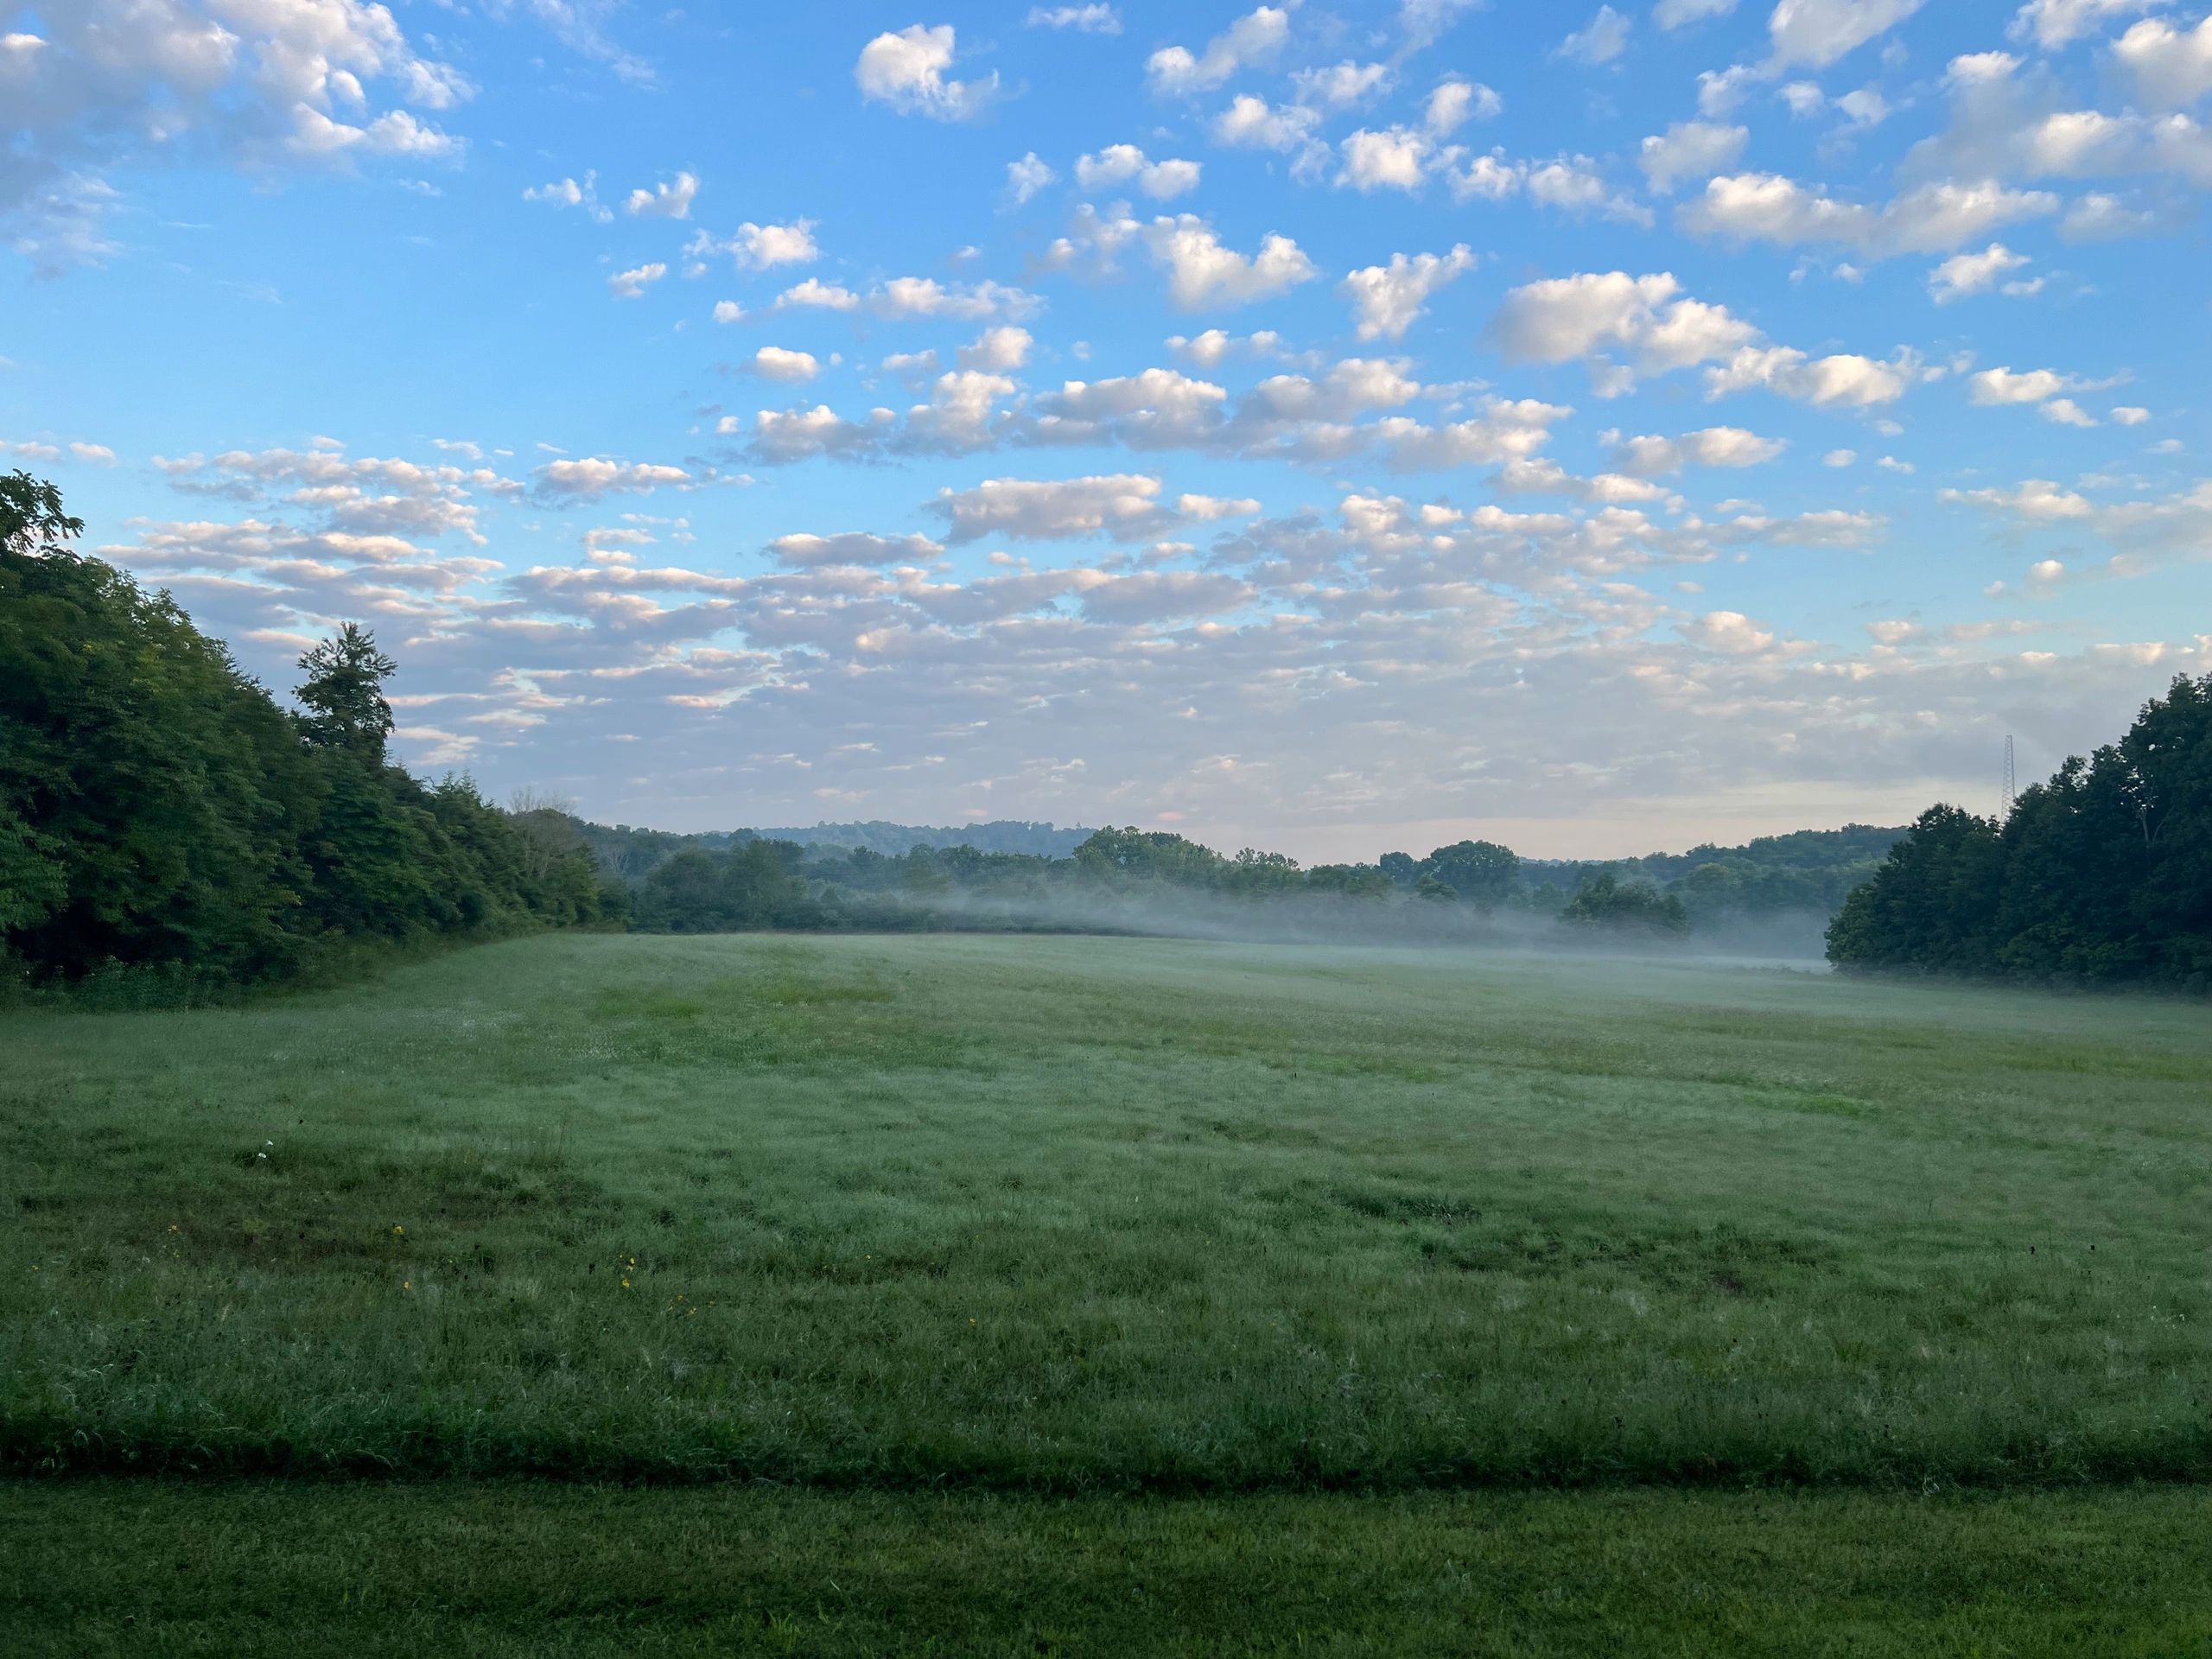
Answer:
[(1937, 218)]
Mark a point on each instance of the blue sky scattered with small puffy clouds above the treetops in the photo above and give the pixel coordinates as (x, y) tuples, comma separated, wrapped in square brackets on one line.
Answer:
[(1315, 426)]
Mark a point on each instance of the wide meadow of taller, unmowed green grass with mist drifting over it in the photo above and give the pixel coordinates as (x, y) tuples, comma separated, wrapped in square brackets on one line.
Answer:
[(1105, 1215)]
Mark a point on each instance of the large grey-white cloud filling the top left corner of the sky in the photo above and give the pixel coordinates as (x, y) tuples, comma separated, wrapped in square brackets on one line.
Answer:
[(262, 83)]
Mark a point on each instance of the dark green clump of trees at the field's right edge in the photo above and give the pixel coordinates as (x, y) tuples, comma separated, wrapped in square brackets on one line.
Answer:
[(2103, 875)]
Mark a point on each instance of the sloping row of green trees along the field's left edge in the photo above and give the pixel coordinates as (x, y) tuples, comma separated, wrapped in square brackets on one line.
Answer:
[(160, 813)]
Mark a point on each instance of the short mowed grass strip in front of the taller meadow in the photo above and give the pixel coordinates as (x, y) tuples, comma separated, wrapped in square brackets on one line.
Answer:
[(494, 1569)]
